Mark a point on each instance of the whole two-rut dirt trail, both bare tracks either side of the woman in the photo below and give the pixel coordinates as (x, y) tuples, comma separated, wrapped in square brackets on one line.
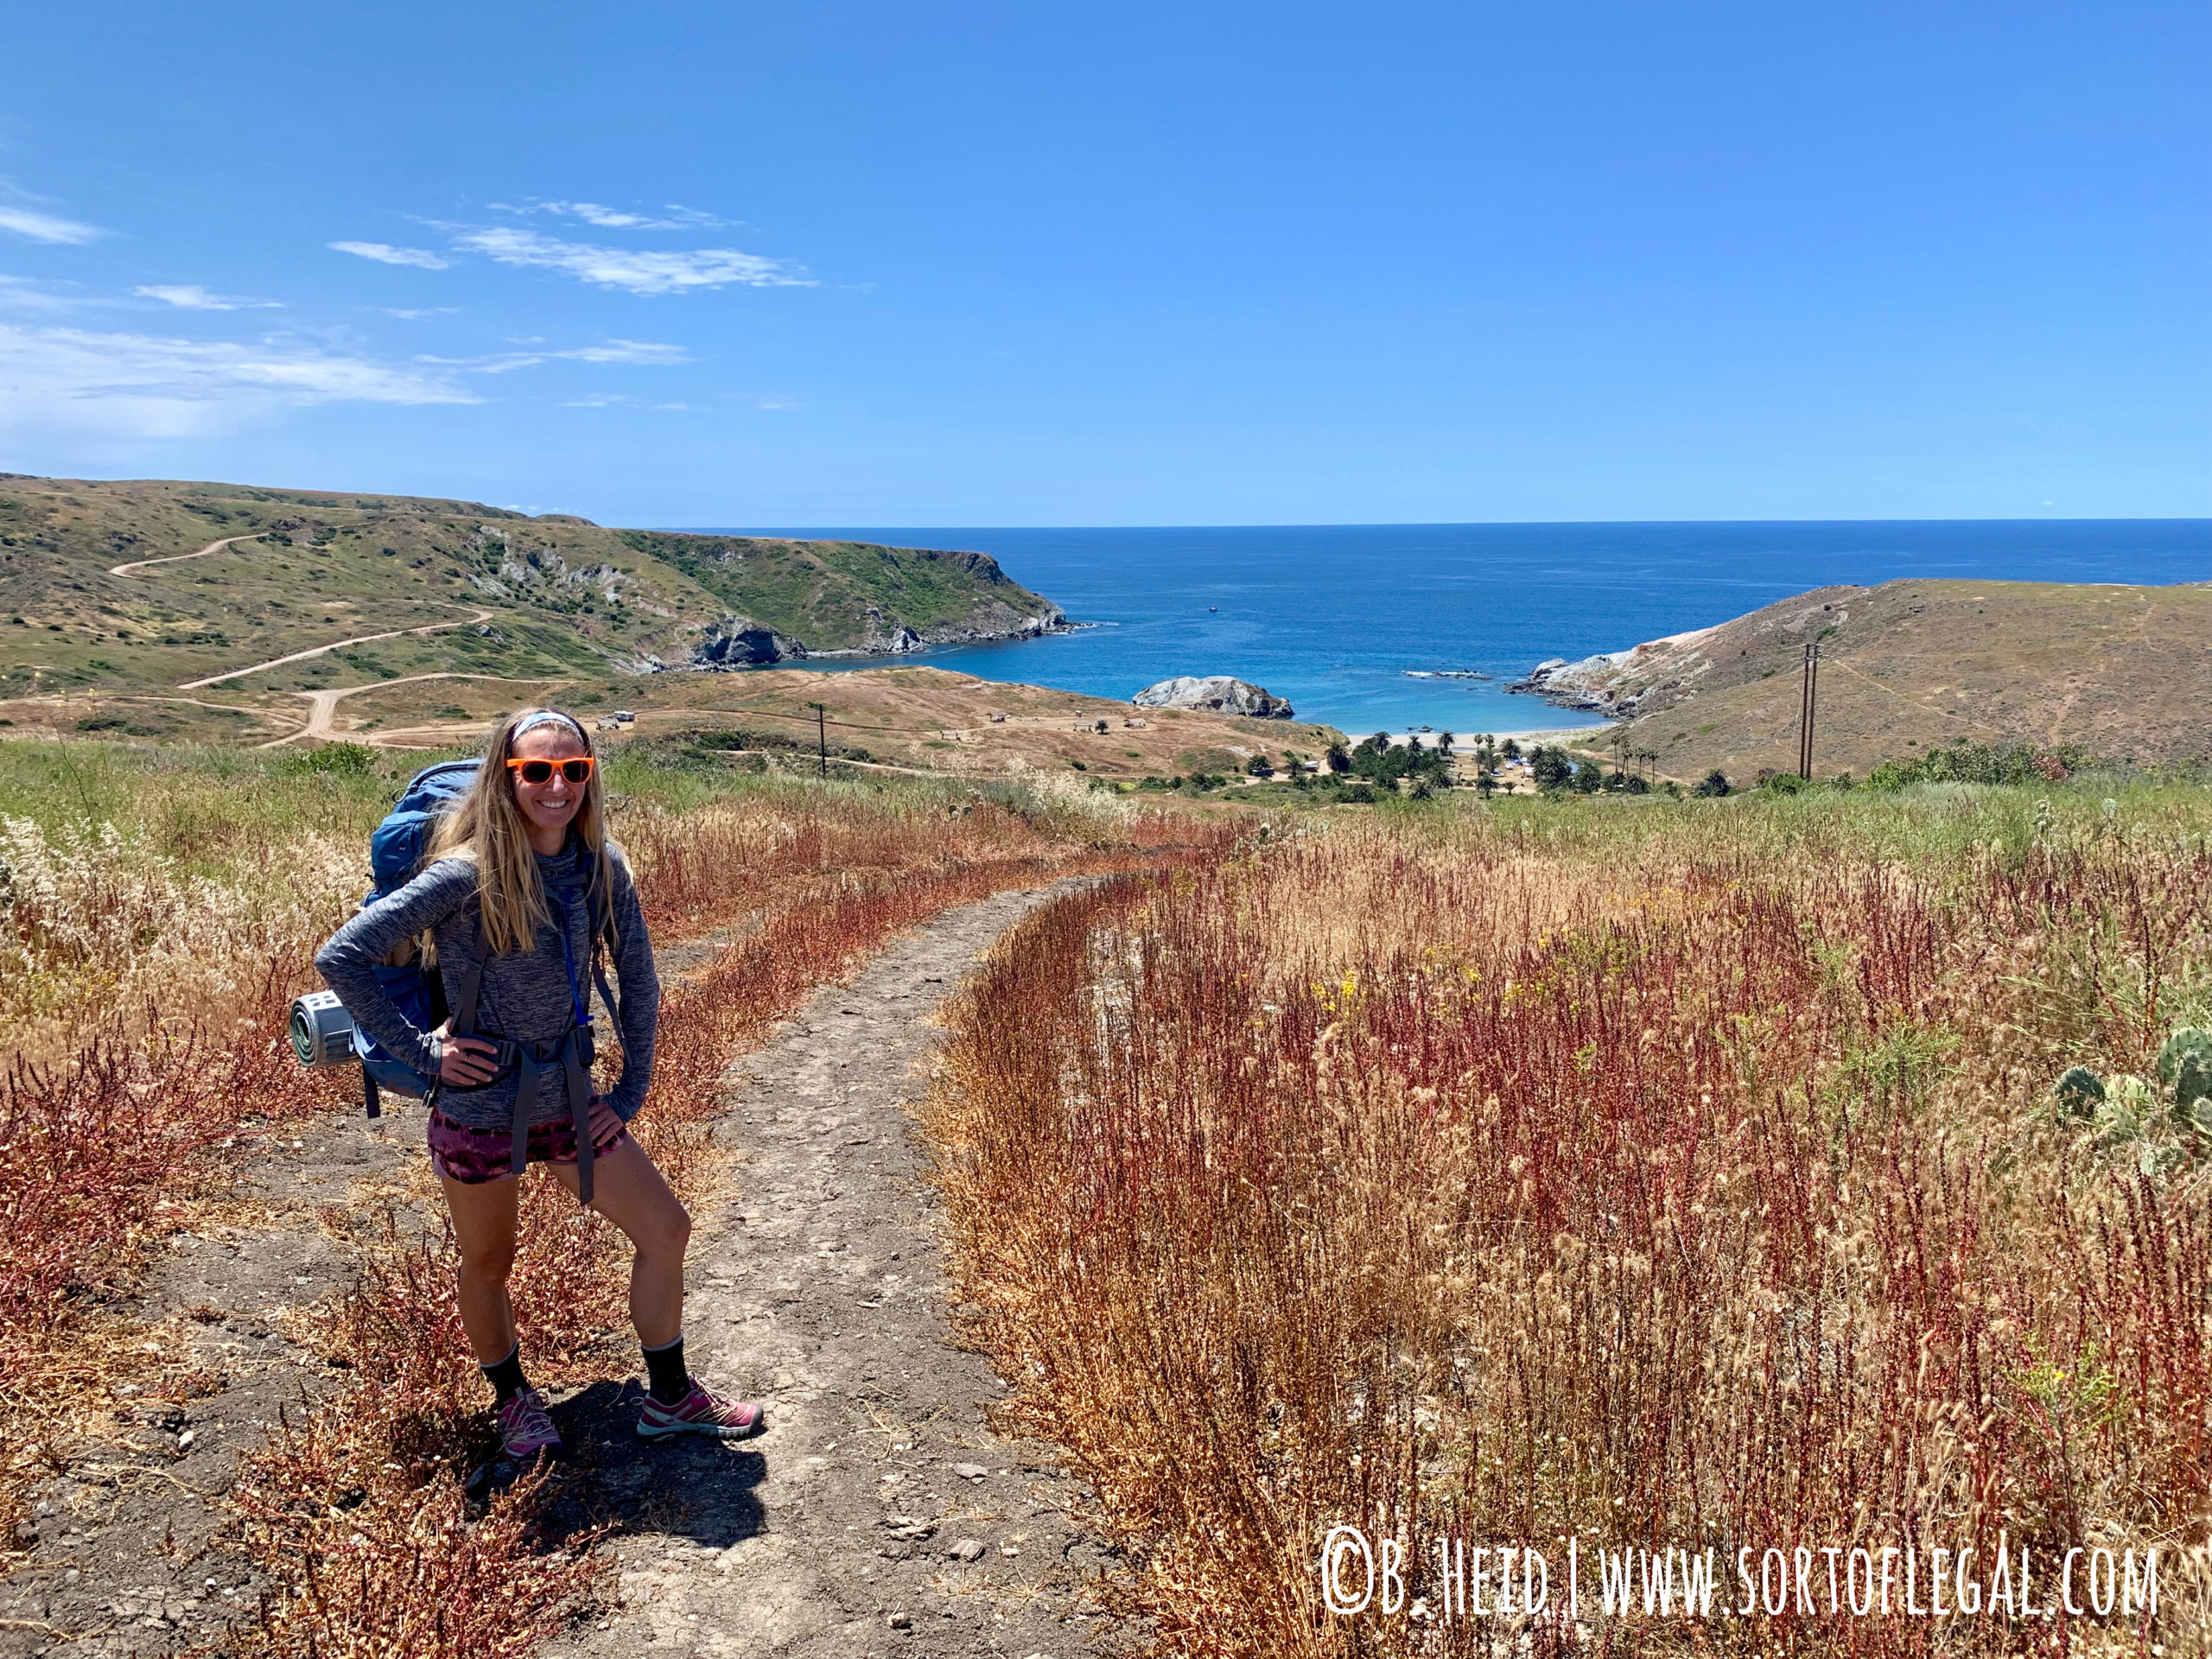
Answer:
[(815, 1286)]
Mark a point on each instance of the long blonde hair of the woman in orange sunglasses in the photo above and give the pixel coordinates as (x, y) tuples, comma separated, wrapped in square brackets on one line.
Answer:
[(490, 828)]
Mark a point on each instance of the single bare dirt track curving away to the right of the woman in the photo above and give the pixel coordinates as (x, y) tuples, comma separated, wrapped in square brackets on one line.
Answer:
[(879, 1514)]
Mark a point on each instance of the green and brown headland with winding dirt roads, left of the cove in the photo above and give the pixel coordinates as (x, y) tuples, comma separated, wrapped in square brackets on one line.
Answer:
[(426, 585)]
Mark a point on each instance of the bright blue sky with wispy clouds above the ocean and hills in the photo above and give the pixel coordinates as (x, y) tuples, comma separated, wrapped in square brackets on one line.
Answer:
[(1140, 264)]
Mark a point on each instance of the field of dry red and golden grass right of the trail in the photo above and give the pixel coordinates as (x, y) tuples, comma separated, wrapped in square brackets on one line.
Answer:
[(1667, 1198)]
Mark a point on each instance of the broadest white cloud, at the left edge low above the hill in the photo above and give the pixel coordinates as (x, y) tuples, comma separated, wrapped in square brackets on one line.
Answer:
[(143, 386)]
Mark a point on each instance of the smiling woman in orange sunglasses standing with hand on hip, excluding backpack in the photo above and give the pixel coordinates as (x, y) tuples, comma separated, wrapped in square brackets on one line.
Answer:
[(519, 893)]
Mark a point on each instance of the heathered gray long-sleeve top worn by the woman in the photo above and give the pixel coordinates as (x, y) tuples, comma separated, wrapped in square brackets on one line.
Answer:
[(525, 997)]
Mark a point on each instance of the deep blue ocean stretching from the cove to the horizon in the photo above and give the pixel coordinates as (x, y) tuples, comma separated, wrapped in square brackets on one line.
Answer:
[(1348, 620)]
